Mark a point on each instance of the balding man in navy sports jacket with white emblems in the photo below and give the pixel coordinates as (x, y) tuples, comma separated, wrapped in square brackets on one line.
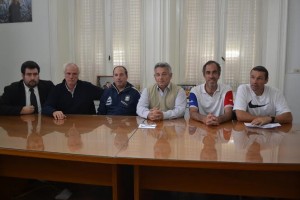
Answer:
[(121, 98)]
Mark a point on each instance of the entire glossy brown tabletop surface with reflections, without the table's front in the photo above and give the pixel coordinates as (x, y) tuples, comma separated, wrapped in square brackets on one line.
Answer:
[(177, 139)]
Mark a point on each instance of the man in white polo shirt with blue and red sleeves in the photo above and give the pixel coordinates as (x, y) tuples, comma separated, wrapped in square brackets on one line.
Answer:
[(211, 102)]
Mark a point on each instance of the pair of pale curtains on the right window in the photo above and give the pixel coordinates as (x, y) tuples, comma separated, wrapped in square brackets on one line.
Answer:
[(225, 31)]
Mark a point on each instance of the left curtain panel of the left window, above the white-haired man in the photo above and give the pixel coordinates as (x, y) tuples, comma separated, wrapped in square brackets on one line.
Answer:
[(90, 44)]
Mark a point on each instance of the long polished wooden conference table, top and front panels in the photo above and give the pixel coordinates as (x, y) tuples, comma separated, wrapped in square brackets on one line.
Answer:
[(177, 155)]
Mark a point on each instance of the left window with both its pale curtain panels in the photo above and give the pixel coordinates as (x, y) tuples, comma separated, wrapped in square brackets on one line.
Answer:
[(107, 33)]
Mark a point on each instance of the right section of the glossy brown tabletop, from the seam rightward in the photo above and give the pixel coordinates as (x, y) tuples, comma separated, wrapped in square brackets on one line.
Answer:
[(190, 140)]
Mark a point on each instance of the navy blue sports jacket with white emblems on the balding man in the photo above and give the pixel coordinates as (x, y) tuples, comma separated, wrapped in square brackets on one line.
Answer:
[(114, 102)]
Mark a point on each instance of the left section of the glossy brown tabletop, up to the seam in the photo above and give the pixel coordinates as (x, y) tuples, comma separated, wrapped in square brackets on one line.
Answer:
[(77, 134)]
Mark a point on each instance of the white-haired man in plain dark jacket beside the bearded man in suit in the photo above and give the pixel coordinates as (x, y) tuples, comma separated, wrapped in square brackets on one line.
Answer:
[(72, 96)]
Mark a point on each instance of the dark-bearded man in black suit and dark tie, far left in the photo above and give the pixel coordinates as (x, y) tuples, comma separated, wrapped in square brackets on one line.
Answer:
[(16, 99)]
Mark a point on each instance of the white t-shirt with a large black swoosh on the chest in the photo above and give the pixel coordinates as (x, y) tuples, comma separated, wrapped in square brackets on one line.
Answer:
[(270, 103)]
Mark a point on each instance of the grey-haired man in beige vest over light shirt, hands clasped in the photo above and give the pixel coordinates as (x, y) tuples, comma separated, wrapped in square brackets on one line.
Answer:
[(164, 99)]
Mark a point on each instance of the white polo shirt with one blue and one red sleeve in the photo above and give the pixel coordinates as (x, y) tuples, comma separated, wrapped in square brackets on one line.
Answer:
[(215, 104)]
